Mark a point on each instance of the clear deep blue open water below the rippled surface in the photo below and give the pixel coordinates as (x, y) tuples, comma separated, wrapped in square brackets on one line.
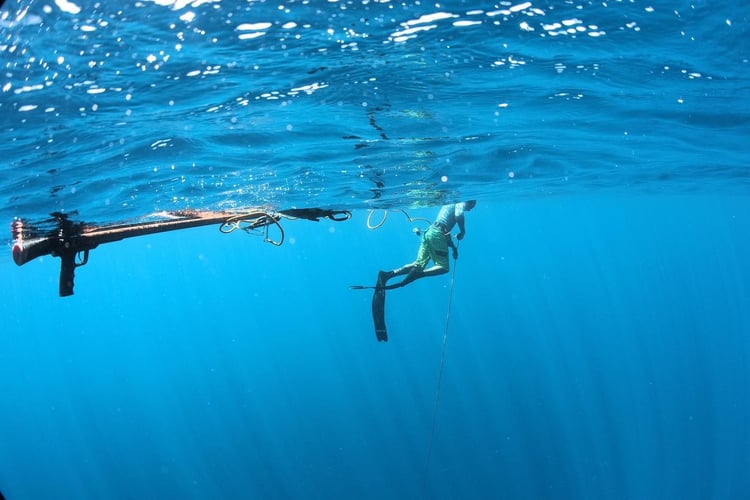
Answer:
[(598, 348)]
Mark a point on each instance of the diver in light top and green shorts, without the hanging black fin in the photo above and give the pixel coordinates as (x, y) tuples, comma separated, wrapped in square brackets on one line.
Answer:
[(435, 243)]
